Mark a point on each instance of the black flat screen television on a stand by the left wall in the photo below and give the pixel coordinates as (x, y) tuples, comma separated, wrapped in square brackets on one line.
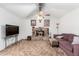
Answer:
[(12, 30)]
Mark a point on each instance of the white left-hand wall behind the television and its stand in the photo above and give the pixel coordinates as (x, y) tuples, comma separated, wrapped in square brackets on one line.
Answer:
[(8, 18)]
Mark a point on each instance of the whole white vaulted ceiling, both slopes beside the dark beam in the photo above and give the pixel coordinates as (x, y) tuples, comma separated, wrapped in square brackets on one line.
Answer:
[(54, 9)]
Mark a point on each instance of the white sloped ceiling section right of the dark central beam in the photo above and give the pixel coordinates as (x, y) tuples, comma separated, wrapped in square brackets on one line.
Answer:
[(60, 9)]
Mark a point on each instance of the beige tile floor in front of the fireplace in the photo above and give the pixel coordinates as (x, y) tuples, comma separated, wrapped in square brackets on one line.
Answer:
[(32, 48)]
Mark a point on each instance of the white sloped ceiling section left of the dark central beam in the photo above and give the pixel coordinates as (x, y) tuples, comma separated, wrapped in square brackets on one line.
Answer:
[(21, 10)]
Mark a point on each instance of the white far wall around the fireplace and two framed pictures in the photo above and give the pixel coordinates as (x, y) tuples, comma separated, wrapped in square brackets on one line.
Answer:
[(52, 27)]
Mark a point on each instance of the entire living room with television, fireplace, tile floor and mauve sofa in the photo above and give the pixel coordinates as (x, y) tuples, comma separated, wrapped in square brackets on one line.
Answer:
[(32, 29)]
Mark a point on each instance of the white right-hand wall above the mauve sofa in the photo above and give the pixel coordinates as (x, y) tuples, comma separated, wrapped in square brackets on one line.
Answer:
[(70, 22)]
